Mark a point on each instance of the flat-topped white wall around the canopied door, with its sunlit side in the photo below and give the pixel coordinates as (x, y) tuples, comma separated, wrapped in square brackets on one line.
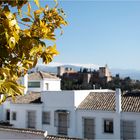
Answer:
[(62, 100)]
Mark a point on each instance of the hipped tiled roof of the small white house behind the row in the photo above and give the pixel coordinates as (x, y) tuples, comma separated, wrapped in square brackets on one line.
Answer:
[(41, 75)]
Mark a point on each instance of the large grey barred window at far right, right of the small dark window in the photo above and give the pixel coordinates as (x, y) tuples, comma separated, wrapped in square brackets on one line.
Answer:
[(128, 129)]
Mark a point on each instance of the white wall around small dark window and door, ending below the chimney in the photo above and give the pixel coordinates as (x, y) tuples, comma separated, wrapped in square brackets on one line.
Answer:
[(98, 116)]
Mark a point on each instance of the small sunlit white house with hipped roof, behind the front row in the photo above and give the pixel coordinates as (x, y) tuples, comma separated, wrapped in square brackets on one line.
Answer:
[(40, 81)]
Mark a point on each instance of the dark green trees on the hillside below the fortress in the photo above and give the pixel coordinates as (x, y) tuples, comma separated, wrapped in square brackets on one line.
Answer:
[(77, 82)]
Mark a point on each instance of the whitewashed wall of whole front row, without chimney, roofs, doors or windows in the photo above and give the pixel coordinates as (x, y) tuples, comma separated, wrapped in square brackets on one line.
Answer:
[(69, 100)]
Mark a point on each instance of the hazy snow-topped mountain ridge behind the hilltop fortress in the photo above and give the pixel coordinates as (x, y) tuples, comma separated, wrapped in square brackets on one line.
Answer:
[(52, 68)]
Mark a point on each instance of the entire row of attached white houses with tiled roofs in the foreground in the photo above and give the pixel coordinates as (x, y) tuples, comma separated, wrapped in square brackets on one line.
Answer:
[(85, 114)]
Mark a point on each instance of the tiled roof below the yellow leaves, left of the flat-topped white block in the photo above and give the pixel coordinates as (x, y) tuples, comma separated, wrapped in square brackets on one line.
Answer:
[(29, 98)]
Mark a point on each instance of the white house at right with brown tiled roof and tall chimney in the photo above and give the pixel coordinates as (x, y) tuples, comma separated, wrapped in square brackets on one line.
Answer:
[(109, 115)]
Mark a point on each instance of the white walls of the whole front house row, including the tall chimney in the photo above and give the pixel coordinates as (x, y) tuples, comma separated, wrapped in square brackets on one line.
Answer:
[(64, 104)]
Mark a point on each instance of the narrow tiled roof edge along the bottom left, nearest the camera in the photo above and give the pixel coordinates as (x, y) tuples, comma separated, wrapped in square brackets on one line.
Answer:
[(35, 132)]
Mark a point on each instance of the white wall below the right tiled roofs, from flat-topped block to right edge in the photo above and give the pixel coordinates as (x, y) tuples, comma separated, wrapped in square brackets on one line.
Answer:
[(99, 116)]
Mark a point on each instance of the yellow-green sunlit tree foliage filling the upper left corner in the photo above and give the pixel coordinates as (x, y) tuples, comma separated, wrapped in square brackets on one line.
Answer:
[(20, 48)]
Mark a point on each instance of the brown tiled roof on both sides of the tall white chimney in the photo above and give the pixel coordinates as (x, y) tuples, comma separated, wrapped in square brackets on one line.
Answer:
[(106, 102)]
